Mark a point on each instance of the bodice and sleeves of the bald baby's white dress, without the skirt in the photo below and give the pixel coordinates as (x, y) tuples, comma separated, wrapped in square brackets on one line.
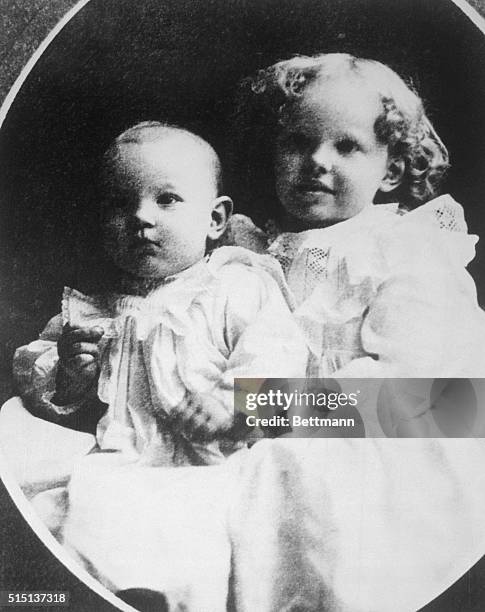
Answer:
[(221, 319)]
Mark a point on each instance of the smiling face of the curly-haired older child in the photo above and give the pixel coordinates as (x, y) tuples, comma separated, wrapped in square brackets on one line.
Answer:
[(329, 164)]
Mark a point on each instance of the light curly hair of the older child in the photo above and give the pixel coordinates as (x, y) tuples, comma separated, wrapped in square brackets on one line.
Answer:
[(265, 100)]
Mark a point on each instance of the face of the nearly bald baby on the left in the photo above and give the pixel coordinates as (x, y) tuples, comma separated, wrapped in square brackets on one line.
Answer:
[(158, 211)]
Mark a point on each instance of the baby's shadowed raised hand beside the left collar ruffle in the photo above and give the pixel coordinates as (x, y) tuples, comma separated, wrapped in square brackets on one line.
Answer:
[(78, 363)]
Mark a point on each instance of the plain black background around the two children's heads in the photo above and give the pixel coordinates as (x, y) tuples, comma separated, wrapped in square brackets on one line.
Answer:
[(120, 62)]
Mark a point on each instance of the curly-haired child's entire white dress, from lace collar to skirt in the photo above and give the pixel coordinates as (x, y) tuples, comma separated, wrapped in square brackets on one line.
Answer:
[(369, 525)]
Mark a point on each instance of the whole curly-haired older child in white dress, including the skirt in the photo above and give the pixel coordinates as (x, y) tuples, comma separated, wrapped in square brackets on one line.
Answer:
[(382, 291)]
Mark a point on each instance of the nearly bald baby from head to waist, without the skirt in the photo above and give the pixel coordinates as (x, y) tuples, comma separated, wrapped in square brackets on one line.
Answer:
[(162, 349)]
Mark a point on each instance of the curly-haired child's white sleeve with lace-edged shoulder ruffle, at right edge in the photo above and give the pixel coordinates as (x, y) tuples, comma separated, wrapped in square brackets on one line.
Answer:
[(424, 319)]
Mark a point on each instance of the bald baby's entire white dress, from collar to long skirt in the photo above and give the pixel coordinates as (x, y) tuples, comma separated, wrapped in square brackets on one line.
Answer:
[(133, 519)]
